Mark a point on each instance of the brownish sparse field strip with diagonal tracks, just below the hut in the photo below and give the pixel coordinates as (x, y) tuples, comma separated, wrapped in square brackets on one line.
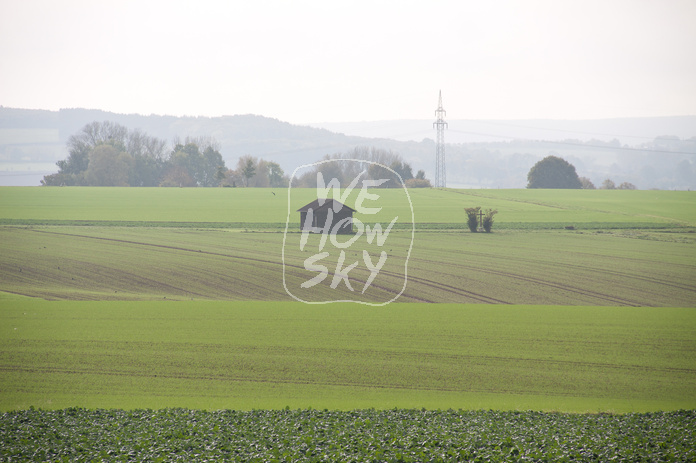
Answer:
[(505, 267)]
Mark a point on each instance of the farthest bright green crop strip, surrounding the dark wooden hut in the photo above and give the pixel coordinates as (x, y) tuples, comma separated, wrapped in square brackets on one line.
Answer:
[(270, 206)]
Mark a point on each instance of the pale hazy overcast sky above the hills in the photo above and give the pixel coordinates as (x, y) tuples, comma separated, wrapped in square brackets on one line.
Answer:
[(322, 61)]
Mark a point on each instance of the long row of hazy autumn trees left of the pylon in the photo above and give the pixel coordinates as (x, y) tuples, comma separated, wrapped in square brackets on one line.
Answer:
[(109, 154)]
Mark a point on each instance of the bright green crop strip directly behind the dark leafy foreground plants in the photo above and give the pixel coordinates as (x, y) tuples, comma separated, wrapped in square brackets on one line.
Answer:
[(246, 355)]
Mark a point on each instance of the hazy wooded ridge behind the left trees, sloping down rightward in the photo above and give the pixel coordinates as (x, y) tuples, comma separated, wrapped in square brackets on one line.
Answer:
[(31, 141)]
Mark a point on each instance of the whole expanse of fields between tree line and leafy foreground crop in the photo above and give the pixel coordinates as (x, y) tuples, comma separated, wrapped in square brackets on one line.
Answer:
[(151, 298)]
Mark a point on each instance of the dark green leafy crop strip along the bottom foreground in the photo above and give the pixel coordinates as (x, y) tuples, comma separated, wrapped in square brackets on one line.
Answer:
[(77, 434)]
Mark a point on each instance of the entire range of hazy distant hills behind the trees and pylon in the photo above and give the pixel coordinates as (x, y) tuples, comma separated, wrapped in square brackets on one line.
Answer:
[(486, 154)]
